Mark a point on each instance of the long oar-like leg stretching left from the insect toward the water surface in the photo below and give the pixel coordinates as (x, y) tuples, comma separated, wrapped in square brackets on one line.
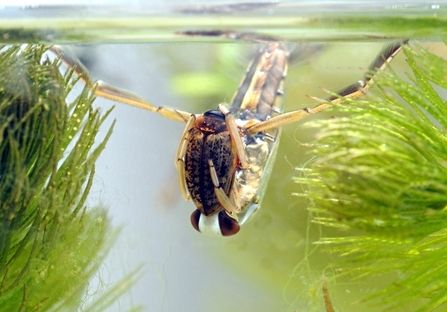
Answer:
[(107, 91)]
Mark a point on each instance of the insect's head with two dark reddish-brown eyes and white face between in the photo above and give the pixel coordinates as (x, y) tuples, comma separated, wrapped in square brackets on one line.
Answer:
[(219, 224)]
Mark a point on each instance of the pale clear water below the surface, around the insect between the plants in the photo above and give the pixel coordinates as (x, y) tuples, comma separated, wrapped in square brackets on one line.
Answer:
[(137, 182)]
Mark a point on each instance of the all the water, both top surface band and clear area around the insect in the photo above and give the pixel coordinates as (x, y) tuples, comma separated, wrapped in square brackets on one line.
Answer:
[(136, 179)]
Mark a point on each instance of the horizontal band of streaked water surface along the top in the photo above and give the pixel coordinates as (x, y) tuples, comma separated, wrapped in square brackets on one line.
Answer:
[(135, 22)]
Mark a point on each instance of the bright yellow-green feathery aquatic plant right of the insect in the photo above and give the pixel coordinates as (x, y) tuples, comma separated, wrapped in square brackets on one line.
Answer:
[(383, 170)]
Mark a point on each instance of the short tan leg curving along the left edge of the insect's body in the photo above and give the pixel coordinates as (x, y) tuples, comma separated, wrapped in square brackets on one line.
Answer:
[(180, 157)]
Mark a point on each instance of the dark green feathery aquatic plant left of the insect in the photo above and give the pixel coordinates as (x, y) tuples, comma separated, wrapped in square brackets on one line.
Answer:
[(51, 244)]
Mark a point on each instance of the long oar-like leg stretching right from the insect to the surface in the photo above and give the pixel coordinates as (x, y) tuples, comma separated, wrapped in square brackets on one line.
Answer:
[(353, 91)]
